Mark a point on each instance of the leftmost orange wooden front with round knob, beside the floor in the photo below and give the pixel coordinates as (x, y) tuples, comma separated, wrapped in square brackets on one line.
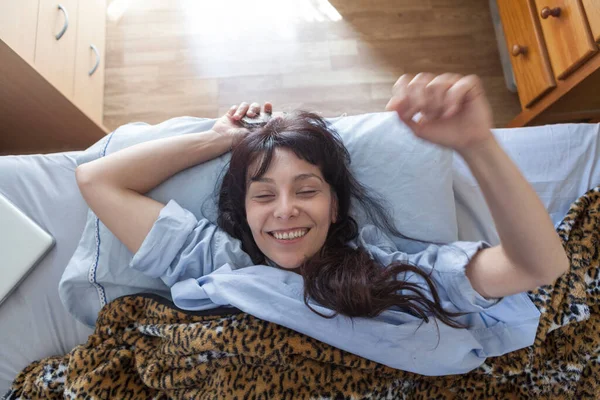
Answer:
[(529, 59)]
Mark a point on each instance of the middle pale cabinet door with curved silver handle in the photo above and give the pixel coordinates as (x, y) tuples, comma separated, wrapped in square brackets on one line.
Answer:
[(55, 58)]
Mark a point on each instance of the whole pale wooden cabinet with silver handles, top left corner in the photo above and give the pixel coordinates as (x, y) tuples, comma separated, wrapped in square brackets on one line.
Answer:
[(51, 75)]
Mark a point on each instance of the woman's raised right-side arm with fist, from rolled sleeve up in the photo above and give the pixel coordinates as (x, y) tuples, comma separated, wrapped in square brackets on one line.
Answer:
[(456, 114)]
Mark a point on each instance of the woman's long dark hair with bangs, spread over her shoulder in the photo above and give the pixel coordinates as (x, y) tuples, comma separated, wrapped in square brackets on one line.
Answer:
[(339, 277)]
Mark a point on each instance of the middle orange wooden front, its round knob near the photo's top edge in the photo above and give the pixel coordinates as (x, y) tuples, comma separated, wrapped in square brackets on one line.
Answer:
[(567, 34)]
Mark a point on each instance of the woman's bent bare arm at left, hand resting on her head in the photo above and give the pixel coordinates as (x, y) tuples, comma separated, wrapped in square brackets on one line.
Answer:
[(114, 186)]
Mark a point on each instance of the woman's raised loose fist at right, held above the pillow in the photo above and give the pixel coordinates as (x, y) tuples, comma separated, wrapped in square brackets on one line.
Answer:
[(454, 110)]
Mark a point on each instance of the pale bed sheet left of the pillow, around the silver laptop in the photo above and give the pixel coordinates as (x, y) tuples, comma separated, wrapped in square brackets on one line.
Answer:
[(33, 322)]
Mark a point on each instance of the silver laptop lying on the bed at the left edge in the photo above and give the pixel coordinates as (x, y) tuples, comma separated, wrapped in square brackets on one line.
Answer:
[(22, 245)]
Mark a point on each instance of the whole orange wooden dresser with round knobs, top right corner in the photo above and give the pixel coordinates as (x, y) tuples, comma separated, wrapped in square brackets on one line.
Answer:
[(555, 58)]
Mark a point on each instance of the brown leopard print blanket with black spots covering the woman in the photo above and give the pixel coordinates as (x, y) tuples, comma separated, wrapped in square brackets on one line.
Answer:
[(146, 348)]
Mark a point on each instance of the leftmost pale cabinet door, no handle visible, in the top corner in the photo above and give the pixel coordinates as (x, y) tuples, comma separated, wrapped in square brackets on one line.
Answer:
[(18, 24)]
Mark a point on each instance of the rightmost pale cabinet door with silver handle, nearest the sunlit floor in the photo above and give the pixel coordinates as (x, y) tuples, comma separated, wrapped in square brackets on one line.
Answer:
[(88, 93)]
